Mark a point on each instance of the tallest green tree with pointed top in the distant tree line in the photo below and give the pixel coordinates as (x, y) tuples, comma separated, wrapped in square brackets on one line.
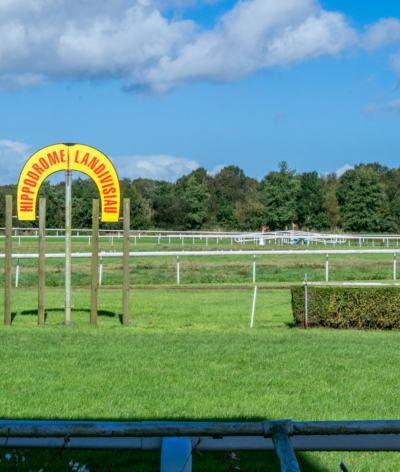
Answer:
[(280, 189)]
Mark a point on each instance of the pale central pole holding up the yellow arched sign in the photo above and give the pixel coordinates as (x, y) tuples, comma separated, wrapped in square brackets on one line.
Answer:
[(68, 212)]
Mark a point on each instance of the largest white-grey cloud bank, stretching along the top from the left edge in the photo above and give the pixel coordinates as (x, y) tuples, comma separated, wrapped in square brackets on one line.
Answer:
[(132, 40)]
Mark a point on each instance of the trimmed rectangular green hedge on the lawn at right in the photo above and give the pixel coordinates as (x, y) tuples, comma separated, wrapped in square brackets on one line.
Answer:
[(348, 307)]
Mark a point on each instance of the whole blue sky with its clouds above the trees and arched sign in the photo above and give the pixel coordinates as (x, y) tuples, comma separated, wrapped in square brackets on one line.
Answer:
[(163, 87)]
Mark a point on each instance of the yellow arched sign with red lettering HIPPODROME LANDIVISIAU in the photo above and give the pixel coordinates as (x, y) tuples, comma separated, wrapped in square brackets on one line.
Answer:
[(79, 157)]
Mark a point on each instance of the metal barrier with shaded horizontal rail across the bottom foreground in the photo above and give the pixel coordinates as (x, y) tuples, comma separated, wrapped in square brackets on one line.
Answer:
[(284, 436)]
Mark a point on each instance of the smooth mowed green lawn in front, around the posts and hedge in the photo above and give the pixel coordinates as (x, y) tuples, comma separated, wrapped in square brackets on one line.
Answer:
[(190, 355)]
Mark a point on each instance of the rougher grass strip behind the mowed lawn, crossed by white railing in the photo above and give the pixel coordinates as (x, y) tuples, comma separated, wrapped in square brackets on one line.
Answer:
[(235, 269)]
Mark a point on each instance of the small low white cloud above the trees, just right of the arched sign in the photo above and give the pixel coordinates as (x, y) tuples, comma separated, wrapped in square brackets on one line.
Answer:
[(158, 167)]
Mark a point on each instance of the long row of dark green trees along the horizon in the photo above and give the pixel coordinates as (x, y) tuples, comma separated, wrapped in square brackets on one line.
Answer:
[(363, 199)]
